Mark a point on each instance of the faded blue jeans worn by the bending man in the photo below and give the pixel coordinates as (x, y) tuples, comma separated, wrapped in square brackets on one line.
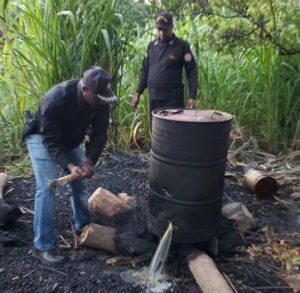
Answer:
[(45, 169)]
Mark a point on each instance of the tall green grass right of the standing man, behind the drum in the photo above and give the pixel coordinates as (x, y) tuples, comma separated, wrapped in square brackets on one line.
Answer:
[(259, 86)]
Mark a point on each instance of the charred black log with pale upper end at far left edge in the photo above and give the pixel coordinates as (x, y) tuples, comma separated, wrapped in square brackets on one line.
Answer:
[(8, 213)]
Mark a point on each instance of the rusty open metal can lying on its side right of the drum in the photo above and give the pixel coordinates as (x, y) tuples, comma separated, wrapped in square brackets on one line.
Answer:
[(260, 182)]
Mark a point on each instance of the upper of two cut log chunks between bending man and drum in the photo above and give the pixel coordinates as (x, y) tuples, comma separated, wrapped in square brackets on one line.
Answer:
[(104, 203)]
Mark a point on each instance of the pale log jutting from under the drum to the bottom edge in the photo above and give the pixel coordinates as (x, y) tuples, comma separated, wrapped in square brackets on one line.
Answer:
[(207, 275)]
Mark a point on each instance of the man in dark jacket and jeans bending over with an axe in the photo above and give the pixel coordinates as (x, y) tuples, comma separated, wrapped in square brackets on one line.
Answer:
[(67, 113)]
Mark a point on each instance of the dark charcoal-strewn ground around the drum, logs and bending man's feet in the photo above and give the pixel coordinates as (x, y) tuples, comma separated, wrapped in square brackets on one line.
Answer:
[(86, 269)]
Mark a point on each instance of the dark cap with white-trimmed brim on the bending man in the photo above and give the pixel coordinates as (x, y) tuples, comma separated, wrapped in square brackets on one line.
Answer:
[(98, 81)]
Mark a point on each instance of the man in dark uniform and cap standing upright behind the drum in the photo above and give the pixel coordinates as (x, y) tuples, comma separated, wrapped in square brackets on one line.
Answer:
[(163, 66)]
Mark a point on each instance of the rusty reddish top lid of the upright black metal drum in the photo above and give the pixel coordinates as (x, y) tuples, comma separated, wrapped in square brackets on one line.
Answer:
[(189, 115)]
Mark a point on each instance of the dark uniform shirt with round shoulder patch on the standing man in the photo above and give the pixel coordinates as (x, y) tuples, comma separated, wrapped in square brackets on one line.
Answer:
[(162, 70)]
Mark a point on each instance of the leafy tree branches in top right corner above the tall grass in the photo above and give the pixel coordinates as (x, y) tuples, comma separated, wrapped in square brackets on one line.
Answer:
[(242, 24)]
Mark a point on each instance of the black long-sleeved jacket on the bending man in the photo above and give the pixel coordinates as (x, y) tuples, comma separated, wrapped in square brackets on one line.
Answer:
[(63, 119)]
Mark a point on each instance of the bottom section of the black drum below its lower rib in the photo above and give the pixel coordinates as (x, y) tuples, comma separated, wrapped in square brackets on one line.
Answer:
[(197, 223)]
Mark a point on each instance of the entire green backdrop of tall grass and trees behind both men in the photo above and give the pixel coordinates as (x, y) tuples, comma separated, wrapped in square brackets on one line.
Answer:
[(247, 53)]
